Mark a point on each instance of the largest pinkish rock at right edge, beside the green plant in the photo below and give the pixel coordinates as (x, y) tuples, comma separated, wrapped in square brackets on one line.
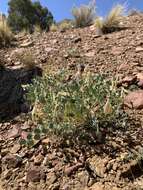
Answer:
[(134, 99)]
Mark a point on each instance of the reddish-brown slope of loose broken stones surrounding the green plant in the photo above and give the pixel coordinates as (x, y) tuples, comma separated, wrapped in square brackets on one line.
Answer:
[(114, 164)]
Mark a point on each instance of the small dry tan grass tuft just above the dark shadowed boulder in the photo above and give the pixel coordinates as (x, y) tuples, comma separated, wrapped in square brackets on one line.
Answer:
[(27, 59)]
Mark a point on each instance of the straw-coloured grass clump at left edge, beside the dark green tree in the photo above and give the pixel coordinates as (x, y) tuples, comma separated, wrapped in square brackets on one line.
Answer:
[(6, 35)]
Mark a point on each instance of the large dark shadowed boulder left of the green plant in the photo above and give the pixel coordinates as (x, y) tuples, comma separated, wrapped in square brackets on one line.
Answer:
[(11, 94)]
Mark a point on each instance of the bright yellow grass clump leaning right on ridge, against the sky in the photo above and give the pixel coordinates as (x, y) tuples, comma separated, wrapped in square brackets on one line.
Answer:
[(112, 22)]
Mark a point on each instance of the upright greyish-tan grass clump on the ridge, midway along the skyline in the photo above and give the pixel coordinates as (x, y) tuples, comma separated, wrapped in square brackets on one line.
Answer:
[(84, 15)]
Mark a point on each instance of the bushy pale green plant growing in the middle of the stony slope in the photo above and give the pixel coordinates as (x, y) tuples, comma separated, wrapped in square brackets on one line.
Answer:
[(61, 107)]
